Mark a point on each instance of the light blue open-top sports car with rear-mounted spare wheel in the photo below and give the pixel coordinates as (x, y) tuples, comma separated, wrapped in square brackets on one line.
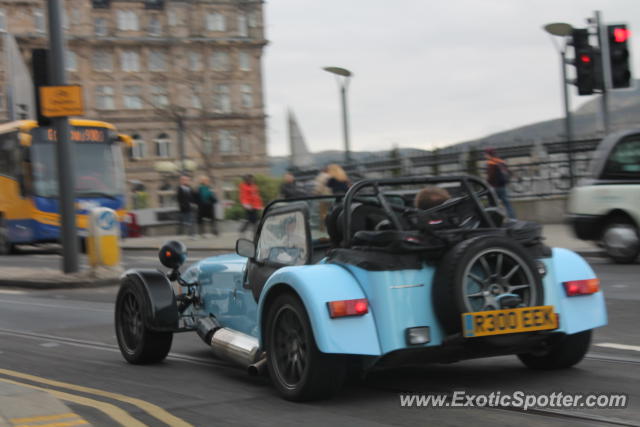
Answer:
[(366, 280)]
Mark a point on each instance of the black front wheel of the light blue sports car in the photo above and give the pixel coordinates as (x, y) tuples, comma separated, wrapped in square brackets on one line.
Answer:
[(138, 344)]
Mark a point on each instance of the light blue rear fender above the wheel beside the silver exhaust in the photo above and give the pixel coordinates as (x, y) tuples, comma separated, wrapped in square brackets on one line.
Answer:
[(316, 285)]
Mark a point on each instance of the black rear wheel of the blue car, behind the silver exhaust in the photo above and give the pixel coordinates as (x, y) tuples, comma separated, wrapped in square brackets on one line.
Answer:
[(298, 370)]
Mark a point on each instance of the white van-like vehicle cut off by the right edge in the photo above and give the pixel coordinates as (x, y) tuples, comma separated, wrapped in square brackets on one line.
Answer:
[(606, 207)]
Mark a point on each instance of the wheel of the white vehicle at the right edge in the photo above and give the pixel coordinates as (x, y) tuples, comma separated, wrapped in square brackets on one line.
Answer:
[(620, 239)]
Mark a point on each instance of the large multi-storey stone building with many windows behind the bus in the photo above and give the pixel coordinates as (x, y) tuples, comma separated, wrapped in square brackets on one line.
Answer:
[(159, 69)]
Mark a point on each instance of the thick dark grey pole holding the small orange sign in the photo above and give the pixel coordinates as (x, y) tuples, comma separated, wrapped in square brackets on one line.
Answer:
[(66, 189)]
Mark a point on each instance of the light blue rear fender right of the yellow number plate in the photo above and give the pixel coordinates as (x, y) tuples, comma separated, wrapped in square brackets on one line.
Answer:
[(577, 313)]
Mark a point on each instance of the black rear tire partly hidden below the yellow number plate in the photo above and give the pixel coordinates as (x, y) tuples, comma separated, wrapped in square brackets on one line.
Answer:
[(561, 352)]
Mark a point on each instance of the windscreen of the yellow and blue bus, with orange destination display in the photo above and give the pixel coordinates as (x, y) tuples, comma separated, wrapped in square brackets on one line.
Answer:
[(96, 157)]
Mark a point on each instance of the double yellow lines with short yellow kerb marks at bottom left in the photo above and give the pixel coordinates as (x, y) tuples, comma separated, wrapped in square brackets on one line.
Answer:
[(117, 414)]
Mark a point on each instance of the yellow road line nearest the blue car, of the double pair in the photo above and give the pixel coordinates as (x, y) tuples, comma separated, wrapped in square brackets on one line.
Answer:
[(153, 410)]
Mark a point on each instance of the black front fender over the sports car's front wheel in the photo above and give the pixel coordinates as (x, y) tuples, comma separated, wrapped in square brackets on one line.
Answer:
[(163, 310)]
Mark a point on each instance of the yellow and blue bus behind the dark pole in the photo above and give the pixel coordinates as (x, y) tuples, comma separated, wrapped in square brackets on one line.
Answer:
[(29, 202)]
